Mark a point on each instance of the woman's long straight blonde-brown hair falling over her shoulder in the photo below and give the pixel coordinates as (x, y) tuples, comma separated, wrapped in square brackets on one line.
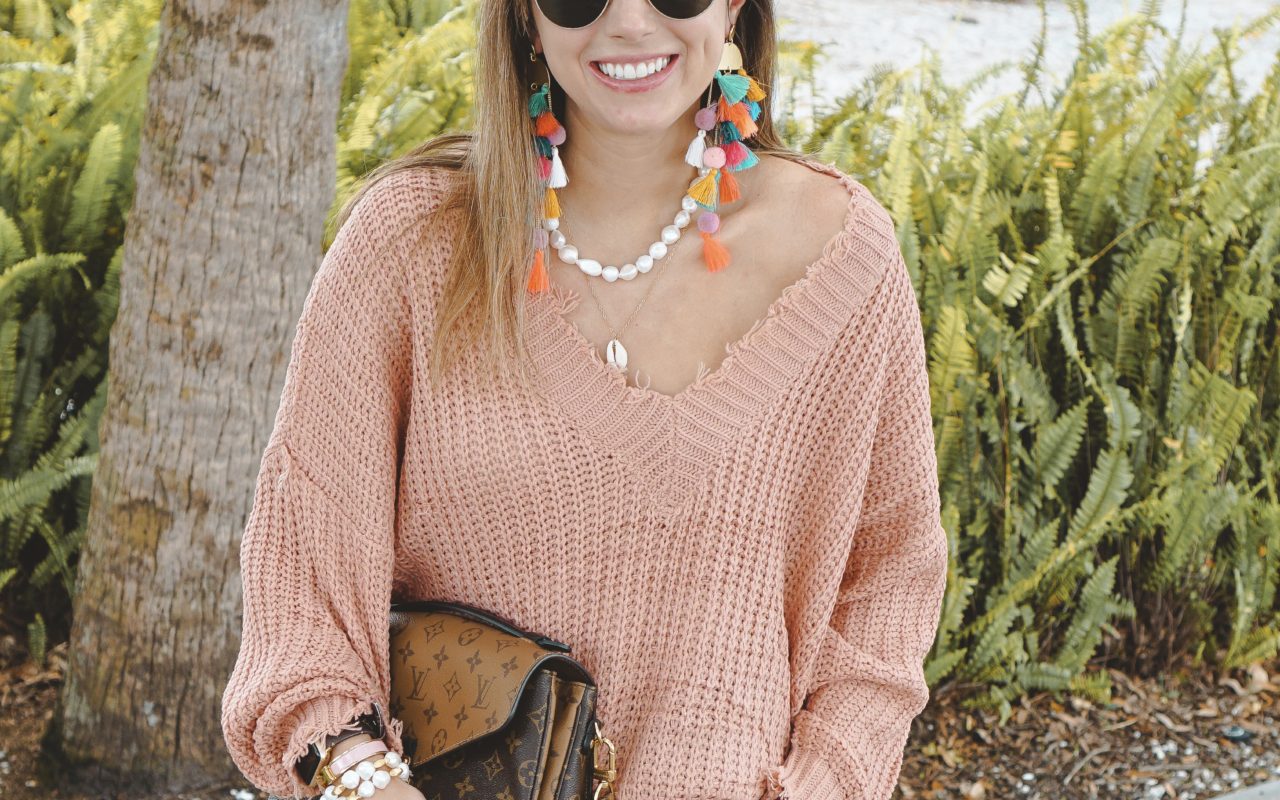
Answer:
[(499, 190)]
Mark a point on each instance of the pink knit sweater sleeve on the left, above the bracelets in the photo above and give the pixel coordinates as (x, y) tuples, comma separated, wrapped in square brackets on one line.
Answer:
[(317, 552)]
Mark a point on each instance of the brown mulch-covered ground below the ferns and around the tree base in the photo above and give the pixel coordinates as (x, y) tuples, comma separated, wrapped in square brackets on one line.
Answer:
[(1183, 738)]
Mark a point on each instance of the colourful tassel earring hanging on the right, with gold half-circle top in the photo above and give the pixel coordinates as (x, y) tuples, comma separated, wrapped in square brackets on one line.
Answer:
[(729, 122)]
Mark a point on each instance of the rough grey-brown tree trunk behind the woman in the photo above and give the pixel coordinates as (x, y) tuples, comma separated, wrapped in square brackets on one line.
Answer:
[(235, 177)]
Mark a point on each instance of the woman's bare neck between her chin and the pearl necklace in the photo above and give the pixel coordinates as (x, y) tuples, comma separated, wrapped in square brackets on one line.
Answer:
[(638, 172)]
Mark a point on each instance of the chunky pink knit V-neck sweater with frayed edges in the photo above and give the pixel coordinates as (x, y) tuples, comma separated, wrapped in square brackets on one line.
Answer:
[(752, 570)]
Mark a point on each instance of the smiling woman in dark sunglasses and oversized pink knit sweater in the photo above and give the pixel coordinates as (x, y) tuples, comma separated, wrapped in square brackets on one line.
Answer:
[(744, 547)]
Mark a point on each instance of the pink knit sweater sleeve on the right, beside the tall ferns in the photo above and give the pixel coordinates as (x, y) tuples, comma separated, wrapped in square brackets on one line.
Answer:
[(848, 740)]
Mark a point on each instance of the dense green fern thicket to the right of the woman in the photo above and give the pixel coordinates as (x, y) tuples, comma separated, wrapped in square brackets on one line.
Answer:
[(1098, 273)]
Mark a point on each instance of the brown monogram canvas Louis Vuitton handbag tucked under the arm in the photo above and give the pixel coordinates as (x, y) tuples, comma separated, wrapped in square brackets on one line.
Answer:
[(492, 711)]
